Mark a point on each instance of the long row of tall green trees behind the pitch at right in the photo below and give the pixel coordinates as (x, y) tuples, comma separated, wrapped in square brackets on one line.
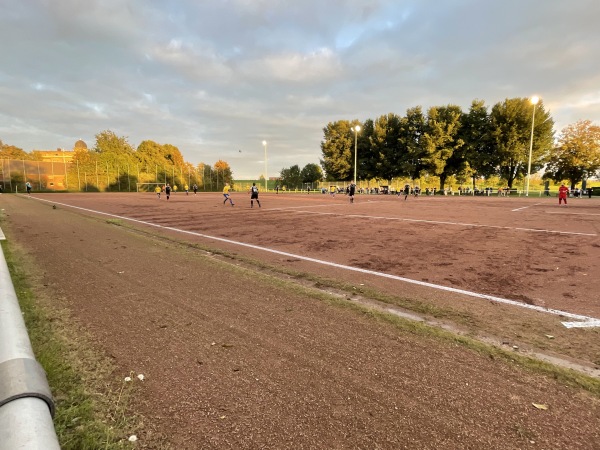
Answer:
[(447, 142)]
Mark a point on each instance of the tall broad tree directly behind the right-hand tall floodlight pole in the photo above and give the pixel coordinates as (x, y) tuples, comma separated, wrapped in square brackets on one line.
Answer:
[(510, 123)]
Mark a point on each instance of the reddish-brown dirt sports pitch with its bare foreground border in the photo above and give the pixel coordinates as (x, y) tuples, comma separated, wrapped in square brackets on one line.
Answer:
[(239, 355)]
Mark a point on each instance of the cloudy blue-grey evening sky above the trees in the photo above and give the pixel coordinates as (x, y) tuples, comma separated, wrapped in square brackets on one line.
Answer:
[(216, 78)]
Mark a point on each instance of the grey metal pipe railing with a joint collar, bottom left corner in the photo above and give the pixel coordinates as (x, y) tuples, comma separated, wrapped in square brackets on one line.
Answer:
[(26, 404)]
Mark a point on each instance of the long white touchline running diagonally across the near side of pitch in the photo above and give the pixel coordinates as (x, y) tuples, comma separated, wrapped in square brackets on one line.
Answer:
[(591, 321)]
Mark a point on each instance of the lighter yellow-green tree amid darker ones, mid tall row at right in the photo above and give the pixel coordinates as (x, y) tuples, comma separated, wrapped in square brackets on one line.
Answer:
[(441, 139)]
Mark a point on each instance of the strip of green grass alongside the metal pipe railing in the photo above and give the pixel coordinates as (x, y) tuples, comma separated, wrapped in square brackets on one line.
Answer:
[(89, 414)]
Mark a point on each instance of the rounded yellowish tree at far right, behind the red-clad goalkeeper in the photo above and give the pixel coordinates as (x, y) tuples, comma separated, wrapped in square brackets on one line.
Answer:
[(577, 155)]
